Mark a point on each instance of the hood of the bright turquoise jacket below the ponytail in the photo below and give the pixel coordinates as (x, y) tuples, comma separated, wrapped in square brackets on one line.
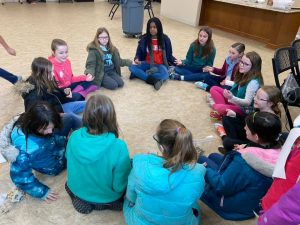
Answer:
[(150, 168)]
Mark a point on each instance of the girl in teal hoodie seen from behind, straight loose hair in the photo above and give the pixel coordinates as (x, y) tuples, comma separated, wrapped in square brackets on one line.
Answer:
[(98, 162)]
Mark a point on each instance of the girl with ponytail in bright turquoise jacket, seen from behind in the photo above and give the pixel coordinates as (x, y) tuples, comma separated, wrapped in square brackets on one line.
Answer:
[(164, 181)]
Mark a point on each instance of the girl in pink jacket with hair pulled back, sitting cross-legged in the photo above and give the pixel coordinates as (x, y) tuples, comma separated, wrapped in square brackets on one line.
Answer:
[(80, 85)]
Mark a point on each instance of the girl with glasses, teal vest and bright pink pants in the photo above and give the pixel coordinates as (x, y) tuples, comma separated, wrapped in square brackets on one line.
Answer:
[(247, 81)]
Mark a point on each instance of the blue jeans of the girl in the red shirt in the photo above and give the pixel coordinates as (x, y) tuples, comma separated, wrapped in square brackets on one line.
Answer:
[(139, 71)]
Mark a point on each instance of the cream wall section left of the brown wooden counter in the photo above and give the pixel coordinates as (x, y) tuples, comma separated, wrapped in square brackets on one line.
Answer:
[(186, 11)]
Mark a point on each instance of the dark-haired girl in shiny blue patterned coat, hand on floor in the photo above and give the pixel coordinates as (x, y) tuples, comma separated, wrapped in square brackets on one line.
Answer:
[(37, 148)]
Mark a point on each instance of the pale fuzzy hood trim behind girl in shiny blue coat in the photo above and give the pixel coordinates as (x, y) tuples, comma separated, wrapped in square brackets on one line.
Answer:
[(8, 151)]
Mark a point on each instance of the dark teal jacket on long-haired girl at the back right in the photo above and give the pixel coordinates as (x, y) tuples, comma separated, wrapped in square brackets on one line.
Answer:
[(199, 61)]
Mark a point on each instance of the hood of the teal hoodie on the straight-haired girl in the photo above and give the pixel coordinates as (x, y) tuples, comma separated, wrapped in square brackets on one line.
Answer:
[(90, 148)]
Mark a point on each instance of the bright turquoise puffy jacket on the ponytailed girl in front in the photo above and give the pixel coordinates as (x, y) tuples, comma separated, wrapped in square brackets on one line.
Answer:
[(154, 196)]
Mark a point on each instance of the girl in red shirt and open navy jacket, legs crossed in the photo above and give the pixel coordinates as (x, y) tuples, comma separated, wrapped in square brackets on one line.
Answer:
[(153, 55)]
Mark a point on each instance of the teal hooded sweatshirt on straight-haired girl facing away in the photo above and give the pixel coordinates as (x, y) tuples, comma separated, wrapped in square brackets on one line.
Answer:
[(97, 166)]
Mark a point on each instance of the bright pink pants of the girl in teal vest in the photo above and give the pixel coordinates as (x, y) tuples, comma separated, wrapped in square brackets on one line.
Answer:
[(221, 103)]
